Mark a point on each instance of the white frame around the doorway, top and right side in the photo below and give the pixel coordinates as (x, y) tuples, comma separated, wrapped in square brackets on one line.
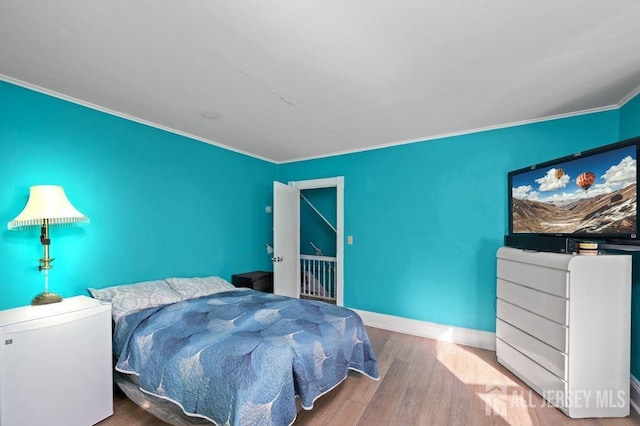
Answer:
[(338, 183)]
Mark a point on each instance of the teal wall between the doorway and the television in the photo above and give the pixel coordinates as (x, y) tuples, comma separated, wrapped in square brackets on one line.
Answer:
[(427, 218)]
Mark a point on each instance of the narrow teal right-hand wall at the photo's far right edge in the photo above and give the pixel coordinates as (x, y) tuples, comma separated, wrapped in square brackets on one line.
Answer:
[(630, 127)]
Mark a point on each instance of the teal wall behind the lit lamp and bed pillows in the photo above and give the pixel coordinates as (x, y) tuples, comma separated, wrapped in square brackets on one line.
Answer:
[(160, 204)]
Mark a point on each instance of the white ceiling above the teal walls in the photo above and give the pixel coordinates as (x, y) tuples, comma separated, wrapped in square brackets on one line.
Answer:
[(291, 79)]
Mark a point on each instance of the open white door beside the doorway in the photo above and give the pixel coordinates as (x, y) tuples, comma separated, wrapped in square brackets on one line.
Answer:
[(286, 240)]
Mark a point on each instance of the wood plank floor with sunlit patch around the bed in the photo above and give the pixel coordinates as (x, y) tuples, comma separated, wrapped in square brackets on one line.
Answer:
[(422, 382)]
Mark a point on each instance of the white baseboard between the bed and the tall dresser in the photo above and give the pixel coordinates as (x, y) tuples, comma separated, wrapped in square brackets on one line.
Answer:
[(446, 333)]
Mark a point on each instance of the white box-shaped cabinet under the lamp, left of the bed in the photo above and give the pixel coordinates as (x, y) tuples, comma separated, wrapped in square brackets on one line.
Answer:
[(56, 364)]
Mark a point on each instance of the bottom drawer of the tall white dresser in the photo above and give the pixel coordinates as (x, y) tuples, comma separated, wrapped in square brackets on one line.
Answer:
[(539, 378)]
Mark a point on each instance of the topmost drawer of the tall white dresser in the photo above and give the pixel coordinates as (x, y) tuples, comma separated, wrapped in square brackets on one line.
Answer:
[(549, 280)]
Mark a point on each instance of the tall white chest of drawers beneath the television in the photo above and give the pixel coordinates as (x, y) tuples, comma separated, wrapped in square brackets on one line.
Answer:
[(563, 327)]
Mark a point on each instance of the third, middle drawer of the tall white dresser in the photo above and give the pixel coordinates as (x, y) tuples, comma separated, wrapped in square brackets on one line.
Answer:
[(548, 331)]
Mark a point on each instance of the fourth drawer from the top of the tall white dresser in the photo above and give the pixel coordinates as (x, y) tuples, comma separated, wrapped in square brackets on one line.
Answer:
[(548, 357)]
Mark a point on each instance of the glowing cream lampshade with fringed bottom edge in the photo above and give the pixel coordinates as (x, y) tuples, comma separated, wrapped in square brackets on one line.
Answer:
[(47, 202)]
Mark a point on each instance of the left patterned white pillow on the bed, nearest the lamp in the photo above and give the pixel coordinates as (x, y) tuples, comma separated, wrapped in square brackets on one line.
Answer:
[(129, 298)]
